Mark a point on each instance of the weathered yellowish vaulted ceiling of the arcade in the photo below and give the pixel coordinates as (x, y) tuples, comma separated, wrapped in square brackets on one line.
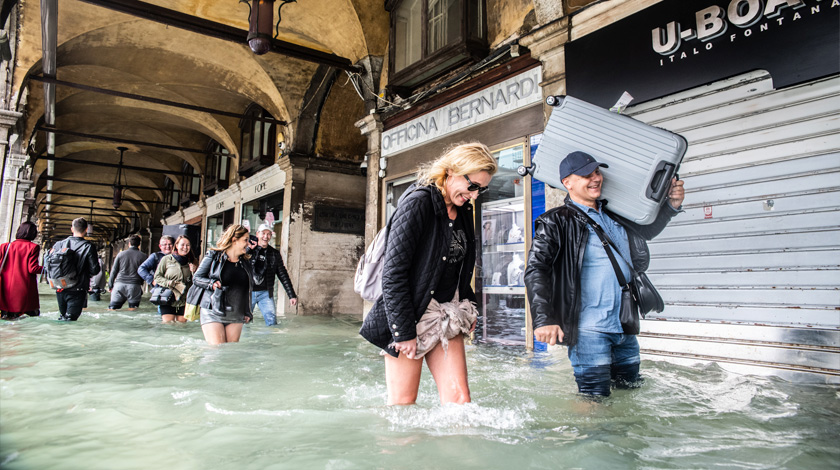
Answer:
[(107, 49)]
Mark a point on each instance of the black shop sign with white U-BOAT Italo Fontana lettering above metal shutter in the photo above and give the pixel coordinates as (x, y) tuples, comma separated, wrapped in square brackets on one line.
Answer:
[(680, 44)]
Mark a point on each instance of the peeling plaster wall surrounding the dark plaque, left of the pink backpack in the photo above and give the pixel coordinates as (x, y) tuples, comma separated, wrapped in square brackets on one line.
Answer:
[(324, 263)]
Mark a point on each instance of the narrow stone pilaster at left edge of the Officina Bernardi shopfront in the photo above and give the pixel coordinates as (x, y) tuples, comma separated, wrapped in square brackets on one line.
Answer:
[(371, 126)]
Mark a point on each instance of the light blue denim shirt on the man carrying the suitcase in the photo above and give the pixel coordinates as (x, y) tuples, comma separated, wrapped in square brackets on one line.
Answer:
[(600, 300)]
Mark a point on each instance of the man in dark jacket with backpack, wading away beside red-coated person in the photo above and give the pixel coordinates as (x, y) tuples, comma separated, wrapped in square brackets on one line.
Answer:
[(71, 301)]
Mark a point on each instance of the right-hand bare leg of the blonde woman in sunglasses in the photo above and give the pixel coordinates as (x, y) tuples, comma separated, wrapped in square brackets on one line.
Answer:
[(450, 372)]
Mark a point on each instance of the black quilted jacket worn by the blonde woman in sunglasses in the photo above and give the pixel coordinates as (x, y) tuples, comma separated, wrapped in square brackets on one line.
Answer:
[(415, 252)]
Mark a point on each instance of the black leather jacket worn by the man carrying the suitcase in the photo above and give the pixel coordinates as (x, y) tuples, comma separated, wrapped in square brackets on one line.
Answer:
[(552, 277)]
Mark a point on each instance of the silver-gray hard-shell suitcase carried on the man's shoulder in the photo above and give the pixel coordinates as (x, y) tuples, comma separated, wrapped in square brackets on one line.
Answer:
[(642, 159)]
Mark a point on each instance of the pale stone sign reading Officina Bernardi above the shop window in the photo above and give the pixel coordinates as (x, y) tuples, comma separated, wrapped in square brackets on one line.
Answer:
[(510, 95)]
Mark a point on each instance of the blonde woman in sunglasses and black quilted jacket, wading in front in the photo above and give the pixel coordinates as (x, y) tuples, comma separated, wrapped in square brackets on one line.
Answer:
[(427, 303)]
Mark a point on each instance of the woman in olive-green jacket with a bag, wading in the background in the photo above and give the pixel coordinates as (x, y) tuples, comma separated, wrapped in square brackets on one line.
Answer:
[(175, 272)]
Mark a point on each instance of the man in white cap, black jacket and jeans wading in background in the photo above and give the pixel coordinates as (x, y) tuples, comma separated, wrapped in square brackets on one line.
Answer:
[(268, 263)]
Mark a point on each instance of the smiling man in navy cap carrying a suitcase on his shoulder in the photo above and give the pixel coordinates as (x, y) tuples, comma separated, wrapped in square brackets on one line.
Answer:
[(572, 287)]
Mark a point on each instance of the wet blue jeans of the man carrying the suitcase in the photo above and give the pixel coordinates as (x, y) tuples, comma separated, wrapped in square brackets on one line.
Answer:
[(601, 358)]
